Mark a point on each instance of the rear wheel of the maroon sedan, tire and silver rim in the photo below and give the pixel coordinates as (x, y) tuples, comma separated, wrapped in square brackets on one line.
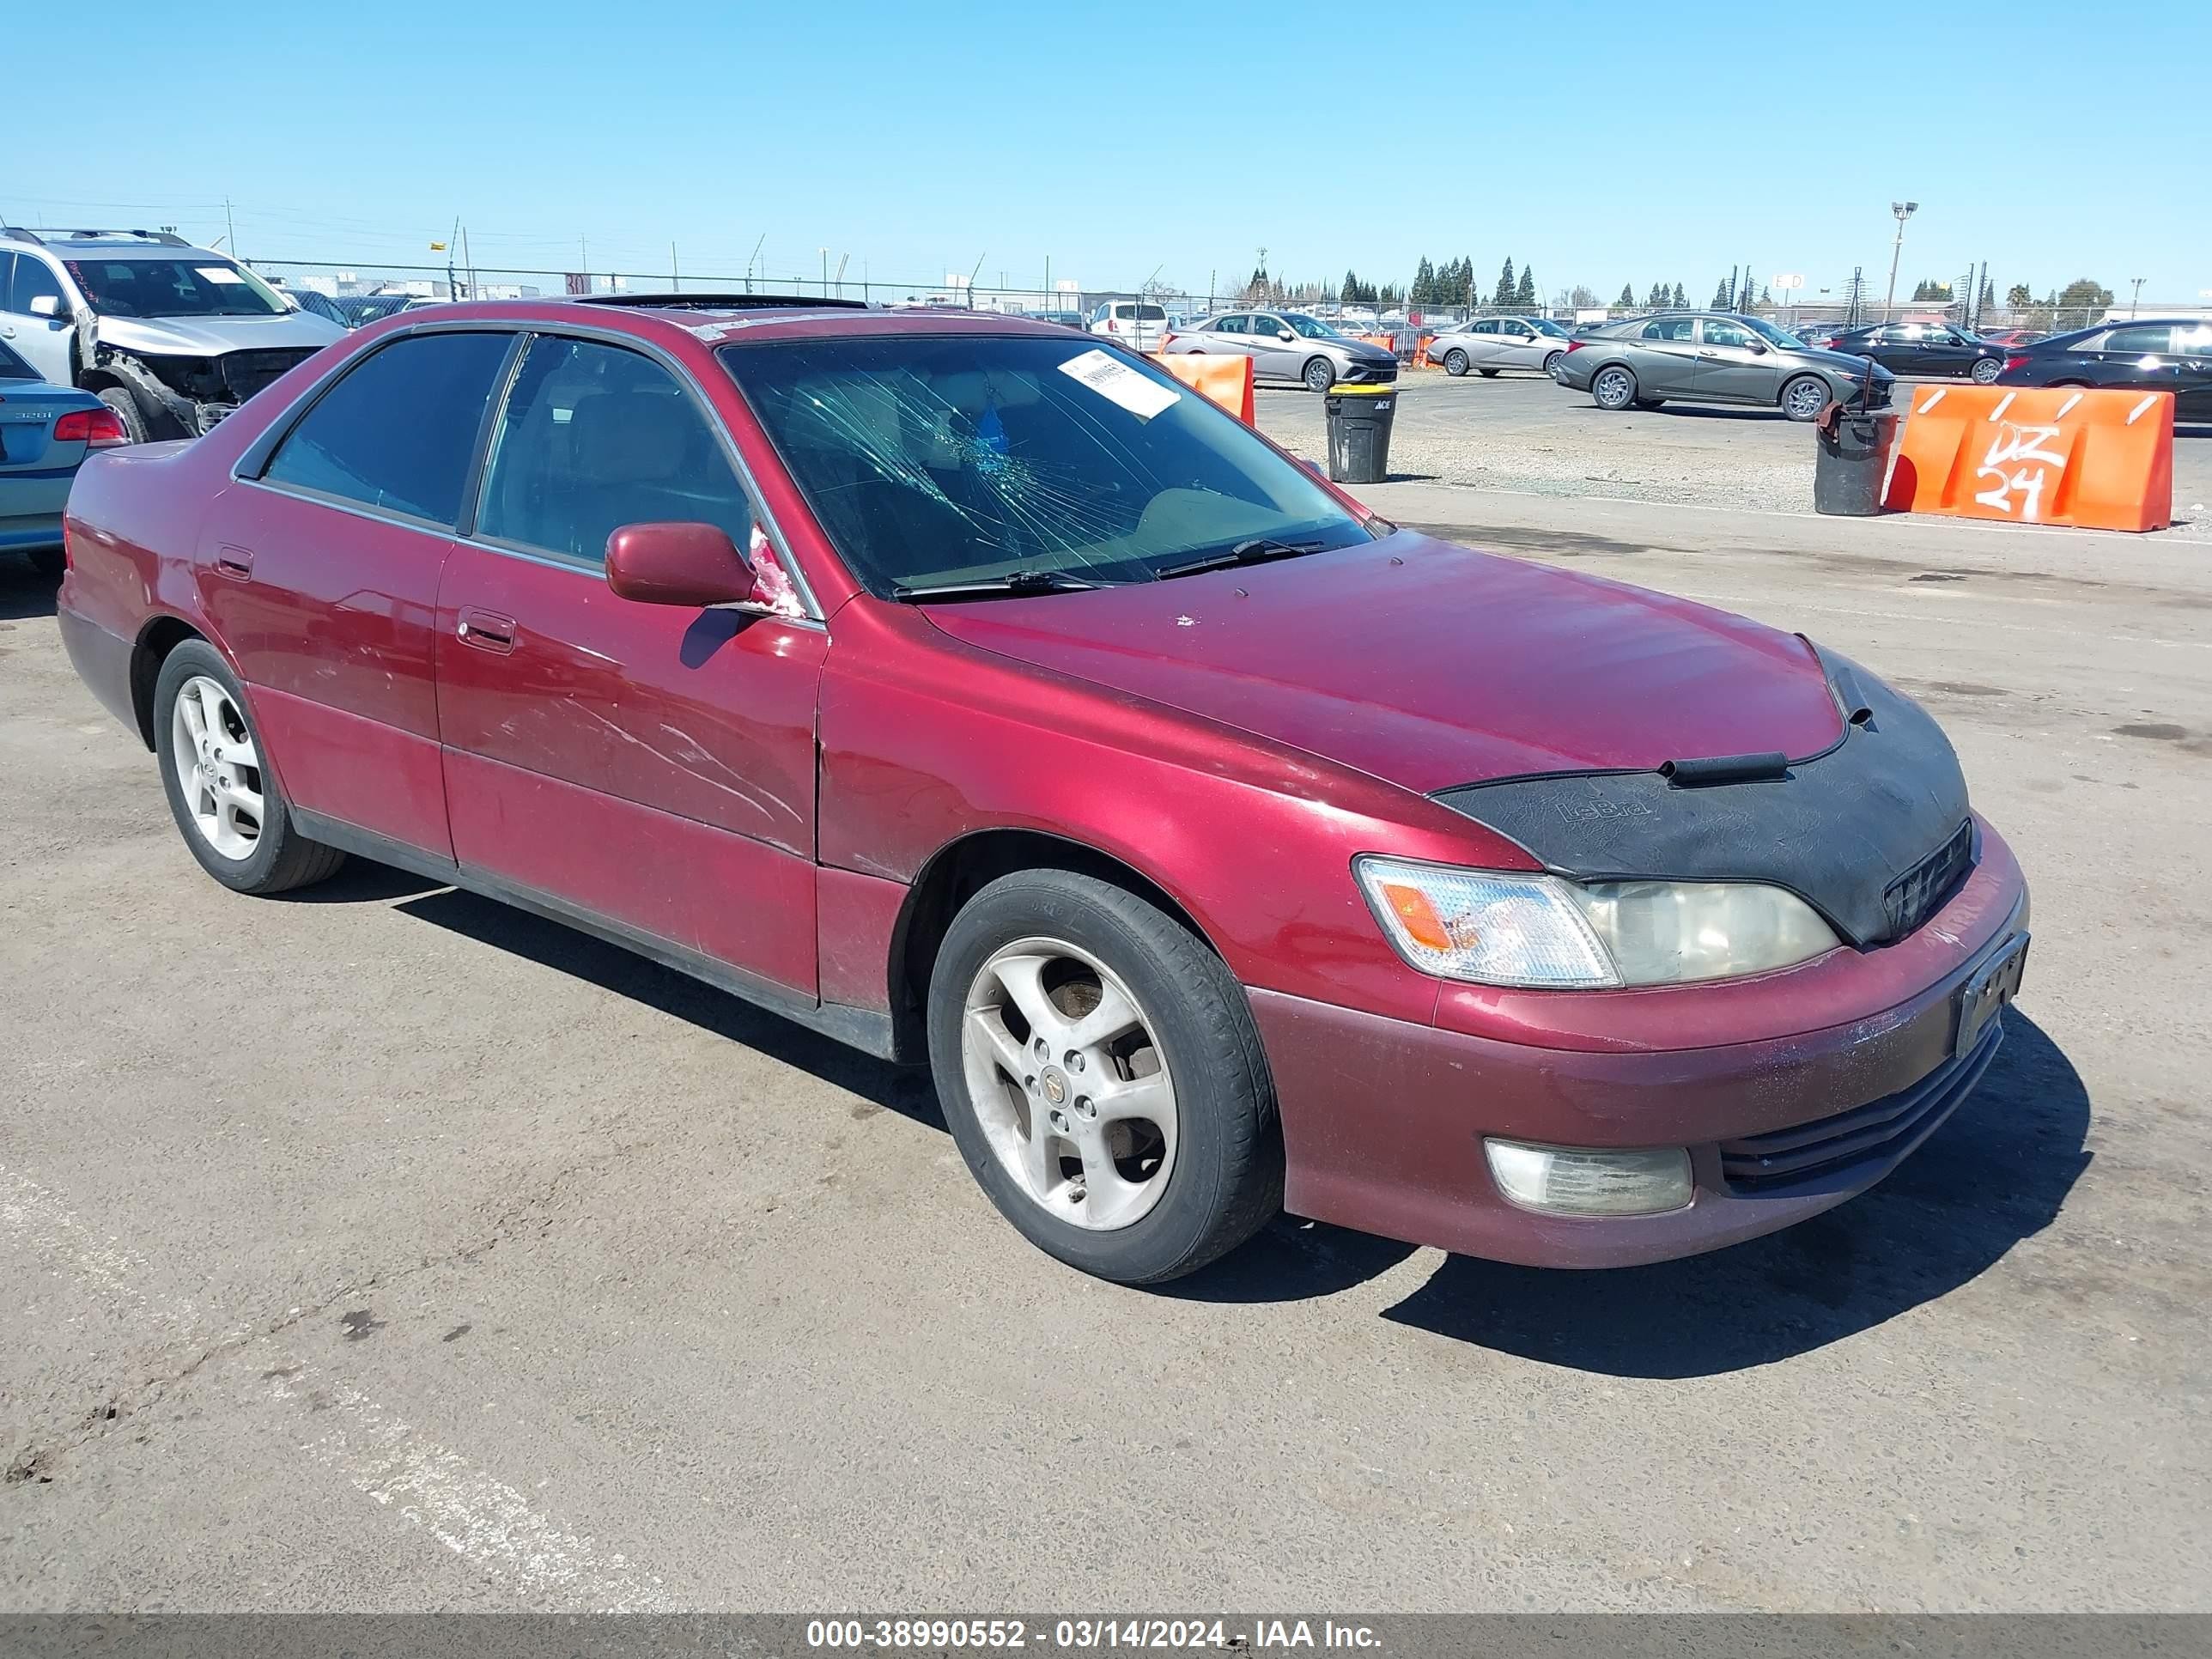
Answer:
[(273, 857)]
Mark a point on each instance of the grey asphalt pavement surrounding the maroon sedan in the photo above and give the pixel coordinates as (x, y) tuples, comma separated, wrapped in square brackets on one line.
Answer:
[(386, 1249)]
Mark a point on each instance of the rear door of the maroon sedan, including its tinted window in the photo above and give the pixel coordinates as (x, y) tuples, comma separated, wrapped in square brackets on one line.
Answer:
[(320, 576)]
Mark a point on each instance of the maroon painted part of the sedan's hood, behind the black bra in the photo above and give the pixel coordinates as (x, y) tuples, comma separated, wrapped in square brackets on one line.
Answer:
[(1432, 665)]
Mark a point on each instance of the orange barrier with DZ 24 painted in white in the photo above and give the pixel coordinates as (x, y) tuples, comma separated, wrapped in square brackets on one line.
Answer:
[(2100, 461)]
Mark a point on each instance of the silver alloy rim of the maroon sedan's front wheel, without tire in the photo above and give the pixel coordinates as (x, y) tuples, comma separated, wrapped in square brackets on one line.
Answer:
[(1070, 1085)]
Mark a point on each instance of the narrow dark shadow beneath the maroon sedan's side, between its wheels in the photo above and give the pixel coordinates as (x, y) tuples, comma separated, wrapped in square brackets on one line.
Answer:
[(901, 1089)]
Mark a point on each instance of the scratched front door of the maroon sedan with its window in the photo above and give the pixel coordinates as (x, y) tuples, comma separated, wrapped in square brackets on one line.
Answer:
[(638, 766)]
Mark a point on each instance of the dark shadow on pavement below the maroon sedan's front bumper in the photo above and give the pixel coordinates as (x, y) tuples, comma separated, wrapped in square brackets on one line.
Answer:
[(1990, 1178)]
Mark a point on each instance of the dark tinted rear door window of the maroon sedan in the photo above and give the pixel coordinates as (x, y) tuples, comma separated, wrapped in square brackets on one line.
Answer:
[(399, 430)]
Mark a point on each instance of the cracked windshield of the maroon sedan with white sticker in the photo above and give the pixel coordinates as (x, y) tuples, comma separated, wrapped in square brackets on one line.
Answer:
[(1023, 463)]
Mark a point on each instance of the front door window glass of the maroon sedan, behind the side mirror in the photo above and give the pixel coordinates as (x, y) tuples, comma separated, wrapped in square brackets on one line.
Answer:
[(596, 437)]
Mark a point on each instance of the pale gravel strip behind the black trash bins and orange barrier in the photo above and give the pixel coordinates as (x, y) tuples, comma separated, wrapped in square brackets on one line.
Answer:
[(1523, 432)]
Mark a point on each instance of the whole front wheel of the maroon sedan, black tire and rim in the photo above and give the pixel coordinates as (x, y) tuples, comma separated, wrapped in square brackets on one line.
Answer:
[(1198, 1171)]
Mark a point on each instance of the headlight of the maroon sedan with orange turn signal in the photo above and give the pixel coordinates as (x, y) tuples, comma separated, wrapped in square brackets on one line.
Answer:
[(1556, 935)]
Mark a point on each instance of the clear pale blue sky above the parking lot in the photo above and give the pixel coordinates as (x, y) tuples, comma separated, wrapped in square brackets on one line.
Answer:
[(1605, 145)]
